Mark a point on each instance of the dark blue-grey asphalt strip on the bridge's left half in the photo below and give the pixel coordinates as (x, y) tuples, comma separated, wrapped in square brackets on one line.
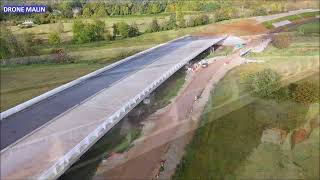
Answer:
[(21, 123)]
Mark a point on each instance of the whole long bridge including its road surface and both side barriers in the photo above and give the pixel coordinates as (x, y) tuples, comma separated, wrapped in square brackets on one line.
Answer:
[(42, 138)]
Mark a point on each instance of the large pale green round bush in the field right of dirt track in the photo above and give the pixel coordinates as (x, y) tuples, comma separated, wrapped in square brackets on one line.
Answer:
[(263, 84)]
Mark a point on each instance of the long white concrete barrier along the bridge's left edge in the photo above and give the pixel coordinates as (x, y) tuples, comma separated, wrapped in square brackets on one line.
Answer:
[(75, 82)]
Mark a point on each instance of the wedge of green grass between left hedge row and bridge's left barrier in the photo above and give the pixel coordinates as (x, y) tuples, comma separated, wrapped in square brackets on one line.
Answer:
[(21, 83)]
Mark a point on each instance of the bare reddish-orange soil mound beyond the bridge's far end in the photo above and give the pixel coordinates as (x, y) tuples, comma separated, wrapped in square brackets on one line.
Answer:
[(239, 28)]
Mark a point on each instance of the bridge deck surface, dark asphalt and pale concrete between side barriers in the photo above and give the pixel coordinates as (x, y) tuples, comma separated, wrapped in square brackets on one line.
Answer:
[(99, 97)]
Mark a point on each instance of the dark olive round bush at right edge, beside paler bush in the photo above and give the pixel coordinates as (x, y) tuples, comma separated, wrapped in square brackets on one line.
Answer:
[(306, 93)]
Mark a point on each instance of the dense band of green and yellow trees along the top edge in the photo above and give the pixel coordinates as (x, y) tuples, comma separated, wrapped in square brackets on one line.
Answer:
[(82, 8)]
